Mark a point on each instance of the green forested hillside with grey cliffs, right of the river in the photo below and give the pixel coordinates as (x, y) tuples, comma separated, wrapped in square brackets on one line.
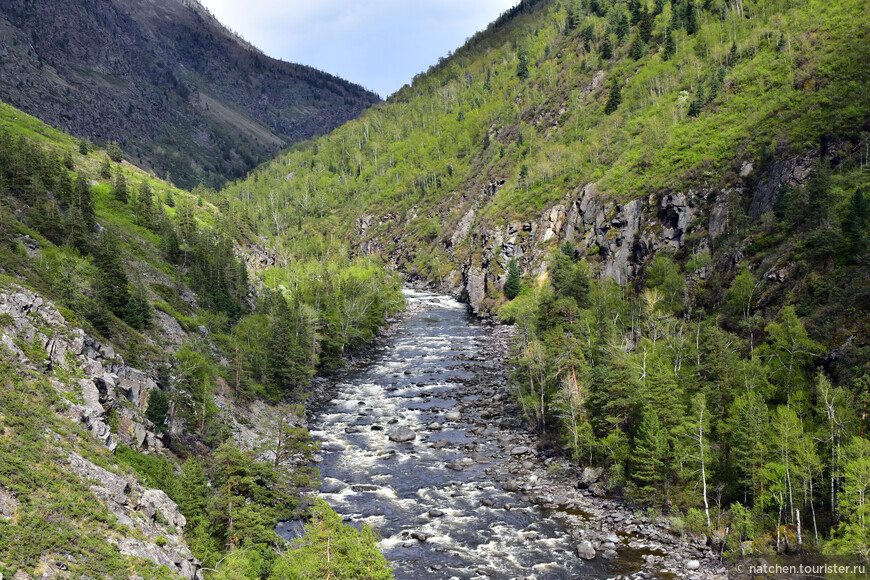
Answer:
[(679, 191)]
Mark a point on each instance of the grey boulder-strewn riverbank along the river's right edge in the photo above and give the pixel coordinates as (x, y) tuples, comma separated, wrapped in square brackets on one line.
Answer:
[(601, 527)]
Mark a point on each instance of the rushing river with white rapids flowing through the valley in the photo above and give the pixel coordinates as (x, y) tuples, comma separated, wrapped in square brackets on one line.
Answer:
[(421, 373)]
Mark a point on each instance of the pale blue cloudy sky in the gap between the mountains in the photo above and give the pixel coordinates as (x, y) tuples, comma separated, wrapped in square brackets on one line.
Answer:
[(379, 44)]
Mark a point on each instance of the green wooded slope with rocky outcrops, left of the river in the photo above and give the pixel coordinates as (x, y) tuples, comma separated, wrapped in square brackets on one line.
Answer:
[(159, 347)]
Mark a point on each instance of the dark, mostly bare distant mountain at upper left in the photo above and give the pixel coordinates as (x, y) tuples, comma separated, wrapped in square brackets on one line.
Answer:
[(174, 87)]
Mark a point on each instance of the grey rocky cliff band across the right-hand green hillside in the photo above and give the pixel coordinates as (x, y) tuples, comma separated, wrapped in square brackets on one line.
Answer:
[(620, 239)]
